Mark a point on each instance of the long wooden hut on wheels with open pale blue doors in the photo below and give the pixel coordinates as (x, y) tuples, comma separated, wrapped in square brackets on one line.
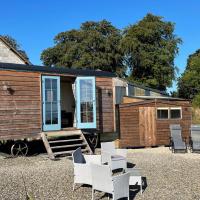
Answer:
[(38, 99)]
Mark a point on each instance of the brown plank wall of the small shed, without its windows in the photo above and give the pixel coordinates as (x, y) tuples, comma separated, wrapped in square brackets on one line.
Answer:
[(144, 129)]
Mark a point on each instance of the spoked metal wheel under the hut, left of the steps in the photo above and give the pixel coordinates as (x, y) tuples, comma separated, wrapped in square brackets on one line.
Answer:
[(19, 149)]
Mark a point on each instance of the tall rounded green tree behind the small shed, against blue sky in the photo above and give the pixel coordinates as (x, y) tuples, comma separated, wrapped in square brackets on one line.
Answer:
[(150, 47)]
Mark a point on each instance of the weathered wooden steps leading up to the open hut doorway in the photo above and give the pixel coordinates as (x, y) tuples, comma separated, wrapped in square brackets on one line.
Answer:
[(63, 143)]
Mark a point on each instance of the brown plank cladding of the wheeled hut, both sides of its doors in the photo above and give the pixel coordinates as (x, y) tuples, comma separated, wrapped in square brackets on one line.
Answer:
[(20, 106)]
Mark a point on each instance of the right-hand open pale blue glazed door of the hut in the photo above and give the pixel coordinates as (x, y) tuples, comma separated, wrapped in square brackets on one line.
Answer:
[(86, 102)]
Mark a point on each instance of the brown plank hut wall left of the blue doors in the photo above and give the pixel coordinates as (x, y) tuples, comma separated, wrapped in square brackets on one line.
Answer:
[(20, 106)]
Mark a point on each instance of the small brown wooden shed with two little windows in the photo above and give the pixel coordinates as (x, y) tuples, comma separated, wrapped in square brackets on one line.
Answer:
[(144, 121)]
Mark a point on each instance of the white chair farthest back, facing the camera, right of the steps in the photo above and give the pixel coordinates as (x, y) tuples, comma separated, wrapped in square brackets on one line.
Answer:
[(115, 158)]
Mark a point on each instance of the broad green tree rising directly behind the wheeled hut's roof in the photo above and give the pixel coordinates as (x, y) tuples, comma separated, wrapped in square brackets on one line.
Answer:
[(96, 45)]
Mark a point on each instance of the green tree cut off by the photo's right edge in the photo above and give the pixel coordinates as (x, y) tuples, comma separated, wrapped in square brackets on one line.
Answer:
[(189, 82)]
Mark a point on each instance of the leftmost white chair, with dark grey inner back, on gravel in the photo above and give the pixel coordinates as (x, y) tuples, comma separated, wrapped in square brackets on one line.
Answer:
[(82, 169)]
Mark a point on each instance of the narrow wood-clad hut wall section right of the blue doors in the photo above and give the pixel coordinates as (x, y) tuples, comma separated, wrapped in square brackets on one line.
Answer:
[(105, 110)]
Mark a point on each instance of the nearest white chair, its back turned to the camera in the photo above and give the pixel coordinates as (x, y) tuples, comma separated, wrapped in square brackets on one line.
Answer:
[(102, 180)]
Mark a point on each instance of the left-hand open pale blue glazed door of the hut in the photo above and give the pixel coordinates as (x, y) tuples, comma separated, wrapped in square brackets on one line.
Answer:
[(51, 103)]
